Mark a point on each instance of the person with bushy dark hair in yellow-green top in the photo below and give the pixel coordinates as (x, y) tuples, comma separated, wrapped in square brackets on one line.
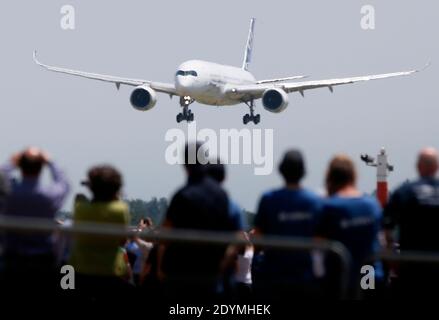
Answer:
[(96, 259)]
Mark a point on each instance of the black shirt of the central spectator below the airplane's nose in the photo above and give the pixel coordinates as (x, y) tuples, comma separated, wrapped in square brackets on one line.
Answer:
[(200, 205)]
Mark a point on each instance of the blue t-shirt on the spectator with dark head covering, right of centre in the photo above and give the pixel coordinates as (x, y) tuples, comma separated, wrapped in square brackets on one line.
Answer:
[(291, 213)]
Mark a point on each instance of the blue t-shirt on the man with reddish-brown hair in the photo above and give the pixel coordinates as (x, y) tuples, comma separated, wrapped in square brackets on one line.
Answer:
[(355, 222)]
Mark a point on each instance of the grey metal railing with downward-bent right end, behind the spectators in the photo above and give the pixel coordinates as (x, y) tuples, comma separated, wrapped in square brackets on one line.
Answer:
[(38, 225)]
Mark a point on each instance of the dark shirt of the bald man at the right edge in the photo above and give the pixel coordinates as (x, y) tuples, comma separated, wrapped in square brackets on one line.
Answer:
[(414, 208)]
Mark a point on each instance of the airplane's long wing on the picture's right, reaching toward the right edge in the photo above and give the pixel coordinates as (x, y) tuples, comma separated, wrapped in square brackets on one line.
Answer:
[(255, 91)]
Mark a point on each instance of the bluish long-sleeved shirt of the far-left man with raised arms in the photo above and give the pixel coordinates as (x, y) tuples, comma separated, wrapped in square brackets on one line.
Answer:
[(28, 198)]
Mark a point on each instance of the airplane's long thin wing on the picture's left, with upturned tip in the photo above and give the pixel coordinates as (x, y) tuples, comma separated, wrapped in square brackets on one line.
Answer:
[(158, 86)]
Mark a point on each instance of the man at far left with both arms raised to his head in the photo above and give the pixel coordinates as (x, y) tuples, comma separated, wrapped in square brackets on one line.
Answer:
[(29, 259)]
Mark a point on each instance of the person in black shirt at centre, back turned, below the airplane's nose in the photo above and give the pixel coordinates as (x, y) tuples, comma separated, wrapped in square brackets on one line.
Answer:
[(188, 270)]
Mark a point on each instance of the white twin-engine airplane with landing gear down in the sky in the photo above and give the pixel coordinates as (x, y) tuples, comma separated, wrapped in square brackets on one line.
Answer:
[(220, 85)]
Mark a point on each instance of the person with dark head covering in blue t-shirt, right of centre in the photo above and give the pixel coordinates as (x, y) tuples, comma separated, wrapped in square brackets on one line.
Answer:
[(291, 212)]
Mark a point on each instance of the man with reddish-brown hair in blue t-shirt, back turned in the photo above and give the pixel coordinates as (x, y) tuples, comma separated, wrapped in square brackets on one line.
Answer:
[(351, 218)]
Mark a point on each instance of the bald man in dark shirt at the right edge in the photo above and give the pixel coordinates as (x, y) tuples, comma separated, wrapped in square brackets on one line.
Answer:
[(414, 210)]
